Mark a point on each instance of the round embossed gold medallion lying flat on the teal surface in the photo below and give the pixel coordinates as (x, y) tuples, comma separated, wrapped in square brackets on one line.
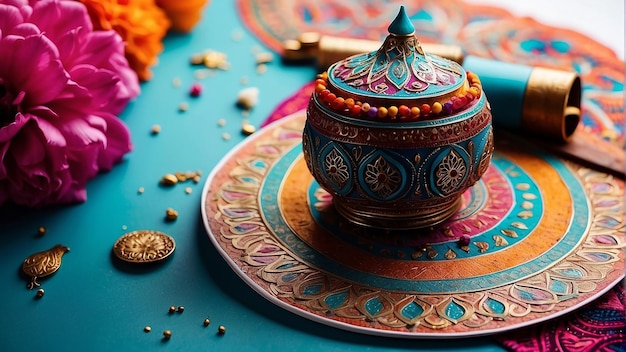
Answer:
[(144, 246)]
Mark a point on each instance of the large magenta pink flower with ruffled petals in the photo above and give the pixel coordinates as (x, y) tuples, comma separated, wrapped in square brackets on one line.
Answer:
[(61, 86)]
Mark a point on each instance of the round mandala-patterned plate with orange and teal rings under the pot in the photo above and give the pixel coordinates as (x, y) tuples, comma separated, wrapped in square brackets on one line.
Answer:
[(546, 238)]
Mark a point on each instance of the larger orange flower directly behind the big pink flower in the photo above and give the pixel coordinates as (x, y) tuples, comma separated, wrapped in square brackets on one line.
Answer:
[(140, 23)]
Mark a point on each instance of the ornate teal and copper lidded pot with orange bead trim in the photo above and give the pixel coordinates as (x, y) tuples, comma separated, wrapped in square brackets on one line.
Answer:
[(397, 135)]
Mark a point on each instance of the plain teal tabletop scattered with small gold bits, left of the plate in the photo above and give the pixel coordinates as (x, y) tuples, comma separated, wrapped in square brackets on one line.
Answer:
[(96, 303)]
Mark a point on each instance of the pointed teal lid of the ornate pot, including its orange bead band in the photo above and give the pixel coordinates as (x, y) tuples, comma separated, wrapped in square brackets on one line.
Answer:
[(396, 77)]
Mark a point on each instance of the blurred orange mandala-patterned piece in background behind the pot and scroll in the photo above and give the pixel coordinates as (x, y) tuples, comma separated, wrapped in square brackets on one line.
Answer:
[(483, 31)]
